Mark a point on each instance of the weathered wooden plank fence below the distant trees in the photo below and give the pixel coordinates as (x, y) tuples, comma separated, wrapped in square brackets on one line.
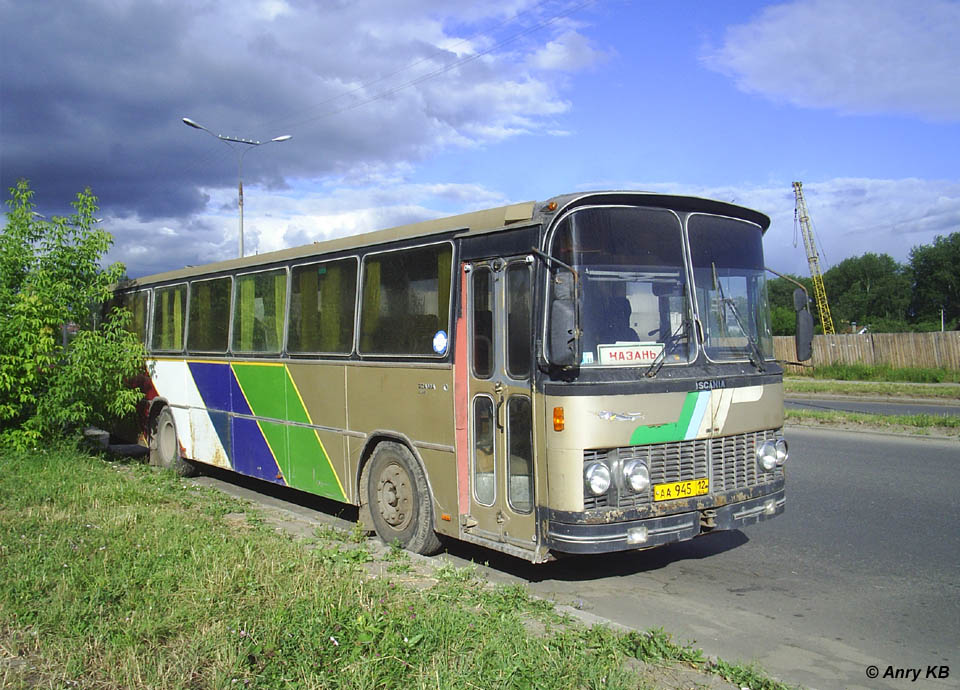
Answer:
[(936, 349)]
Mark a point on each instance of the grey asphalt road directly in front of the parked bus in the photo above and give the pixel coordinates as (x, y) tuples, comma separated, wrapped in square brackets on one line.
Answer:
[(861, 570)]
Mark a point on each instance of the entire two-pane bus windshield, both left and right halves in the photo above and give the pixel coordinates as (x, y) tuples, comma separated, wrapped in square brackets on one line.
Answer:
[(636, 304)]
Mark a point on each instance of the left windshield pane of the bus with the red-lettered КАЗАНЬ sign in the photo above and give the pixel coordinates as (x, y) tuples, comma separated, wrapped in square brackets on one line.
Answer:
[(635, 302)]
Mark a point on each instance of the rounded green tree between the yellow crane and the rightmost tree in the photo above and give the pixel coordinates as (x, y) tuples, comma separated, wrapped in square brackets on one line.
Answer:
[(868, 288)]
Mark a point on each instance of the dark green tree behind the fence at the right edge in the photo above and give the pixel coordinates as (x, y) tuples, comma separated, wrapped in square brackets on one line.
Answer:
[(935, 273)]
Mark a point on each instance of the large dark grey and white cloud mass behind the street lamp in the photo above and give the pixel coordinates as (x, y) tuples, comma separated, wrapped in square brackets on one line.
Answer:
[(92, 95)]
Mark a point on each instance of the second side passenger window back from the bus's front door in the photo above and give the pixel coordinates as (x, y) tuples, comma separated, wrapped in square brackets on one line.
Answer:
[(322, 303)]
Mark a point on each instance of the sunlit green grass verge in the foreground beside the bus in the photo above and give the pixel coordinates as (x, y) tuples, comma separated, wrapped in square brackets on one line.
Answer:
[(116, 576)]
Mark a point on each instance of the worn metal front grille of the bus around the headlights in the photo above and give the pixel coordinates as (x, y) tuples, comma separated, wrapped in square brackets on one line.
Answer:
[(729, 462)]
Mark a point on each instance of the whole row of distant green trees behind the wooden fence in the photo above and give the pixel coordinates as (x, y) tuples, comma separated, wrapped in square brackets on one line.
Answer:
[(876, 292)]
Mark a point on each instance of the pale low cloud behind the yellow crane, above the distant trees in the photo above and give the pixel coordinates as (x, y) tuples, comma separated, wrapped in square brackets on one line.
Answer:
[(850, 216)]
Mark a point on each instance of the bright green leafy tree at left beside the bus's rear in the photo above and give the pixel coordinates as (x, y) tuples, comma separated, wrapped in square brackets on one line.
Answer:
[(51, 278)]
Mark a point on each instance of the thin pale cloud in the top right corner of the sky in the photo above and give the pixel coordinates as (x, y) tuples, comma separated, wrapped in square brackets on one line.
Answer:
[(853, 56)]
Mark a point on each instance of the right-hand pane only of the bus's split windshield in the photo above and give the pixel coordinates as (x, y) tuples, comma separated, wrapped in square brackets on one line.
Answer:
[(727, 257)]
